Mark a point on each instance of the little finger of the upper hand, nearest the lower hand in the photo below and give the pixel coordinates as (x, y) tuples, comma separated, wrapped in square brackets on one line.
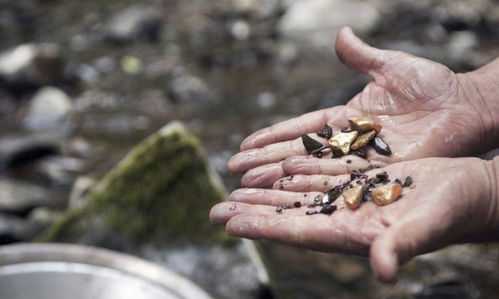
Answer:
[(311, 165)]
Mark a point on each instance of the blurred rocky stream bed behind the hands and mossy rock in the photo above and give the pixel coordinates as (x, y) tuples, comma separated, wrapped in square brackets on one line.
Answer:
[(83, 82)]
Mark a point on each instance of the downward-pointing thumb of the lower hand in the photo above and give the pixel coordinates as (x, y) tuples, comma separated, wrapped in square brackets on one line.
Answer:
[(417, 234)]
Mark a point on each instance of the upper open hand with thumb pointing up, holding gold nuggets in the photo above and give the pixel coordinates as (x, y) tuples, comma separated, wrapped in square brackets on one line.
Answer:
[(426, 110)]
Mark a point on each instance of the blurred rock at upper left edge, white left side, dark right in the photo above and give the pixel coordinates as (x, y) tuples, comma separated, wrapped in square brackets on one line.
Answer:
[(31, 65)]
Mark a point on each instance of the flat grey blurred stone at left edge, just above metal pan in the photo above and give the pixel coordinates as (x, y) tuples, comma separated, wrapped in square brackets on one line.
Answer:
[(20, 197)]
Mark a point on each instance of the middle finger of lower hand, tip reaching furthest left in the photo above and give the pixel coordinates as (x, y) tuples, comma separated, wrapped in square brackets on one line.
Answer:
[(222, 212)]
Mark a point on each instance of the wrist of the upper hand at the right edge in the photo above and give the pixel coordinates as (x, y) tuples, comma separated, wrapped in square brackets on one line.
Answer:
[(480, 89)]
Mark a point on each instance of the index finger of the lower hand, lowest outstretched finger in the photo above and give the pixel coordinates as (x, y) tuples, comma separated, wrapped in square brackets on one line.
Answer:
[(343, 231)]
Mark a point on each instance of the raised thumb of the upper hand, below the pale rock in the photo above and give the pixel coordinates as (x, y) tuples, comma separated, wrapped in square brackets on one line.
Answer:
[(359, 56)]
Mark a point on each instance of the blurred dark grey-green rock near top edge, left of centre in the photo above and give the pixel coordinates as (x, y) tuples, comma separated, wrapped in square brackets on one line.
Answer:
[(134, 23)]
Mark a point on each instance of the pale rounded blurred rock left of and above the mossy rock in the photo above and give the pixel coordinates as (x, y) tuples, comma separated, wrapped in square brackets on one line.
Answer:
[(49, 109)]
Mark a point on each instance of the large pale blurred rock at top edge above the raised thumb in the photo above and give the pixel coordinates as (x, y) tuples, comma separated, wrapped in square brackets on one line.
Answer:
[(316, 22)]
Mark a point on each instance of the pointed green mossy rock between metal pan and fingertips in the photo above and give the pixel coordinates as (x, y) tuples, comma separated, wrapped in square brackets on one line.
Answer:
[(161, 192)]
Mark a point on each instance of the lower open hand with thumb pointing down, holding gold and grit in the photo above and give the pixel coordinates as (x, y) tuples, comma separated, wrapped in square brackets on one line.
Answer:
[(451, 201)]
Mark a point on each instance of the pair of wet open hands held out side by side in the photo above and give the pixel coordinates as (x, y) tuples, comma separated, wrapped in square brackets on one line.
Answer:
[(427, 112)]
